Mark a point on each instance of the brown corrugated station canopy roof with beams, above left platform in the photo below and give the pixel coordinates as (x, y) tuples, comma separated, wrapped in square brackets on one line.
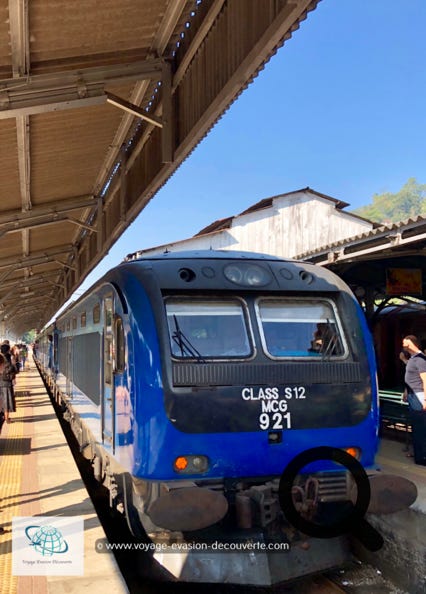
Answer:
[(99, 103)]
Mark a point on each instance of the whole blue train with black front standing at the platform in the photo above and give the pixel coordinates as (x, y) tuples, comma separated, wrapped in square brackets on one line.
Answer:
[(192, 379)]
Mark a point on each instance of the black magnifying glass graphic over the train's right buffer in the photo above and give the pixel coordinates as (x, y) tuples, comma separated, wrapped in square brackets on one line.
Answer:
[(353, 522)]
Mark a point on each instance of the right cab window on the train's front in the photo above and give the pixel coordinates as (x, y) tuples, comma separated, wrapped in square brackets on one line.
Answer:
[(301, 328)]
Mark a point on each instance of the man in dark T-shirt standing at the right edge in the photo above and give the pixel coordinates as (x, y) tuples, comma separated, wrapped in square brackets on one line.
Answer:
[(415, 395)]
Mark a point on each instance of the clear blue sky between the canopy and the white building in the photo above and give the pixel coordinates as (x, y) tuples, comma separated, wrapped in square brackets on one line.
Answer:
[(340, 108)]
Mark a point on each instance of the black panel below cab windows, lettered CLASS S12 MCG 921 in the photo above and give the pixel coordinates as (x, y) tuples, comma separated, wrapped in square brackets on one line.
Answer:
[(267, 397)]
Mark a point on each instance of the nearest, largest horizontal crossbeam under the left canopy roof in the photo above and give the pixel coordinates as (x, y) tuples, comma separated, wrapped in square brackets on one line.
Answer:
[(42, 93)]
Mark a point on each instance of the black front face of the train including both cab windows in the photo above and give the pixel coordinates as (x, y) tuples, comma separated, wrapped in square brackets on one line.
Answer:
[(270, 359)]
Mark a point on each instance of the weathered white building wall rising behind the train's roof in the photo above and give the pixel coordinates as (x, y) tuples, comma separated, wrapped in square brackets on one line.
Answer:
[(294, 224)]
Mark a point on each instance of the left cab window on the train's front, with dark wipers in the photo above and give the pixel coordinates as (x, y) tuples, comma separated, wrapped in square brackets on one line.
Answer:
[(207, 329)]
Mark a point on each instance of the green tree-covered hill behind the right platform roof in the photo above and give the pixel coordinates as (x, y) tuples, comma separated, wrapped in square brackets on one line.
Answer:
[(409, 202)]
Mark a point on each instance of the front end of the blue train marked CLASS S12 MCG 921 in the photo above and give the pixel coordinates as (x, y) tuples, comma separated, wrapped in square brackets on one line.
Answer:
[(260, 360)]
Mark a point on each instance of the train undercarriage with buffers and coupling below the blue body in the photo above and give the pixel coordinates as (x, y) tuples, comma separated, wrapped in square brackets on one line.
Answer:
[(231, 531)]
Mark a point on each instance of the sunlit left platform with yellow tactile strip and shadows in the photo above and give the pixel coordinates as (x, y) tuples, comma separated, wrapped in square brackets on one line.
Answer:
[(39, 478)]
